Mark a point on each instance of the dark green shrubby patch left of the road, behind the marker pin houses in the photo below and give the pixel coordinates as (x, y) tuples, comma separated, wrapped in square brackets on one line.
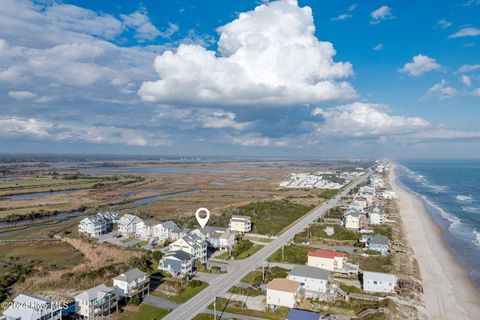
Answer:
[(271, 217)]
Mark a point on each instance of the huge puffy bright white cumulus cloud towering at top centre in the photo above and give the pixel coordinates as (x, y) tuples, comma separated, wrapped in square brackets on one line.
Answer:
[(268, 56)]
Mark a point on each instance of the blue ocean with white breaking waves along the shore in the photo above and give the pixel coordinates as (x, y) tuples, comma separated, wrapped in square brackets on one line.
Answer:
[(451, 193)]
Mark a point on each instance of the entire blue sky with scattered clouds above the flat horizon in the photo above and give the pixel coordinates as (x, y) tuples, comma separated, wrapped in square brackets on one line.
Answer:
[(313, 78)]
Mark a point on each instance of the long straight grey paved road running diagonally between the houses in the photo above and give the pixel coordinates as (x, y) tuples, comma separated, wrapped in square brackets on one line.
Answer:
[(240, 269)]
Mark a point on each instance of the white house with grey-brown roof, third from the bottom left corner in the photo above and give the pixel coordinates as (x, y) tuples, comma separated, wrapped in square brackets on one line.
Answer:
[(133, 283)]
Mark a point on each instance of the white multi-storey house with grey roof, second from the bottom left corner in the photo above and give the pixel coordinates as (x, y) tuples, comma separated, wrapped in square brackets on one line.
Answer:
[(96, 303)]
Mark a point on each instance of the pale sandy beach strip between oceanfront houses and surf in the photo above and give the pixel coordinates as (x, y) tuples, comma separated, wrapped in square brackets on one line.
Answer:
[(448, 292)]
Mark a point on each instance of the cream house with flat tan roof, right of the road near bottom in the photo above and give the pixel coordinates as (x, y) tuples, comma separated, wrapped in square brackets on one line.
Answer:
[(282, 293)]
